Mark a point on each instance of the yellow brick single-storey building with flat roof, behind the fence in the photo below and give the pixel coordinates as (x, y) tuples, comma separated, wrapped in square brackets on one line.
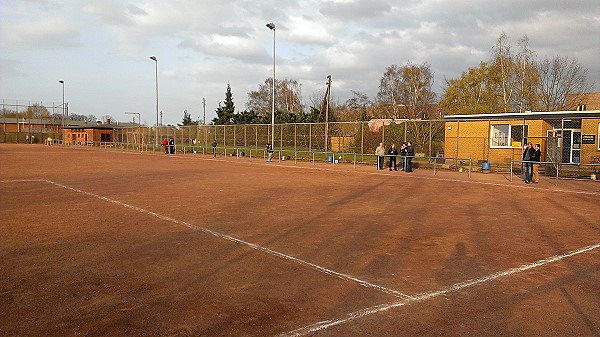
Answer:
[(567, 136)]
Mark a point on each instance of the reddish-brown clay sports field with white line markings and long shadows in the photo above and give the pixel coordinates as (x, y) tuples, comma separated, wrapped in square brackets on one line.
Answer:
[(113, 243)]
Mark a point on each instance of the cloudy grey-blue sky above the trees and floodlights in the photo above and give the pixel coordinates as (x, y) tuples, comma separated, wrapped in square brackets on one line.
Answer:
[(101, 49)]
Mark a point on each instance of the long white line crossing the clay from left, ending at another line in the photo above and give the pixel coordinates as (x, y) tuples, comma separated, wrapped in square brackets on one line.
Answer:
[(241, 242)]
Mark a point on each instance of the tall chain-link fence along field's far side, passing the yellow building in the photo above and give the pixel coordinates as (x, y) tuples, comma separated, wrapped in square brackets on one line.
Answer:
[(432, 139)]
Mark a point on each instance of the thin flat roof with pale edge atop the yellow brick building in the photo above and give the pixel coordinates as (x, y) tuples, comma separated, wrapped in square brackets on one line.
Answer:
[(525, 115)]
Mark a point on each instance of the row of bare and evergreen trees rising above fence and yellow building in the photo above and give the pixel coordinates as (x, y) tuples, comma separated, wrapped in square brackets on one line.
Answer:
[(511, 80)]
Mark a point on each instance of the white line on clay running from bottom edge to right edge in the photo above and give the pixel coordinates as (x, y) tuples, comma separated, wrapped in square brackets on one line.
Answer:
[(429, 295)]
